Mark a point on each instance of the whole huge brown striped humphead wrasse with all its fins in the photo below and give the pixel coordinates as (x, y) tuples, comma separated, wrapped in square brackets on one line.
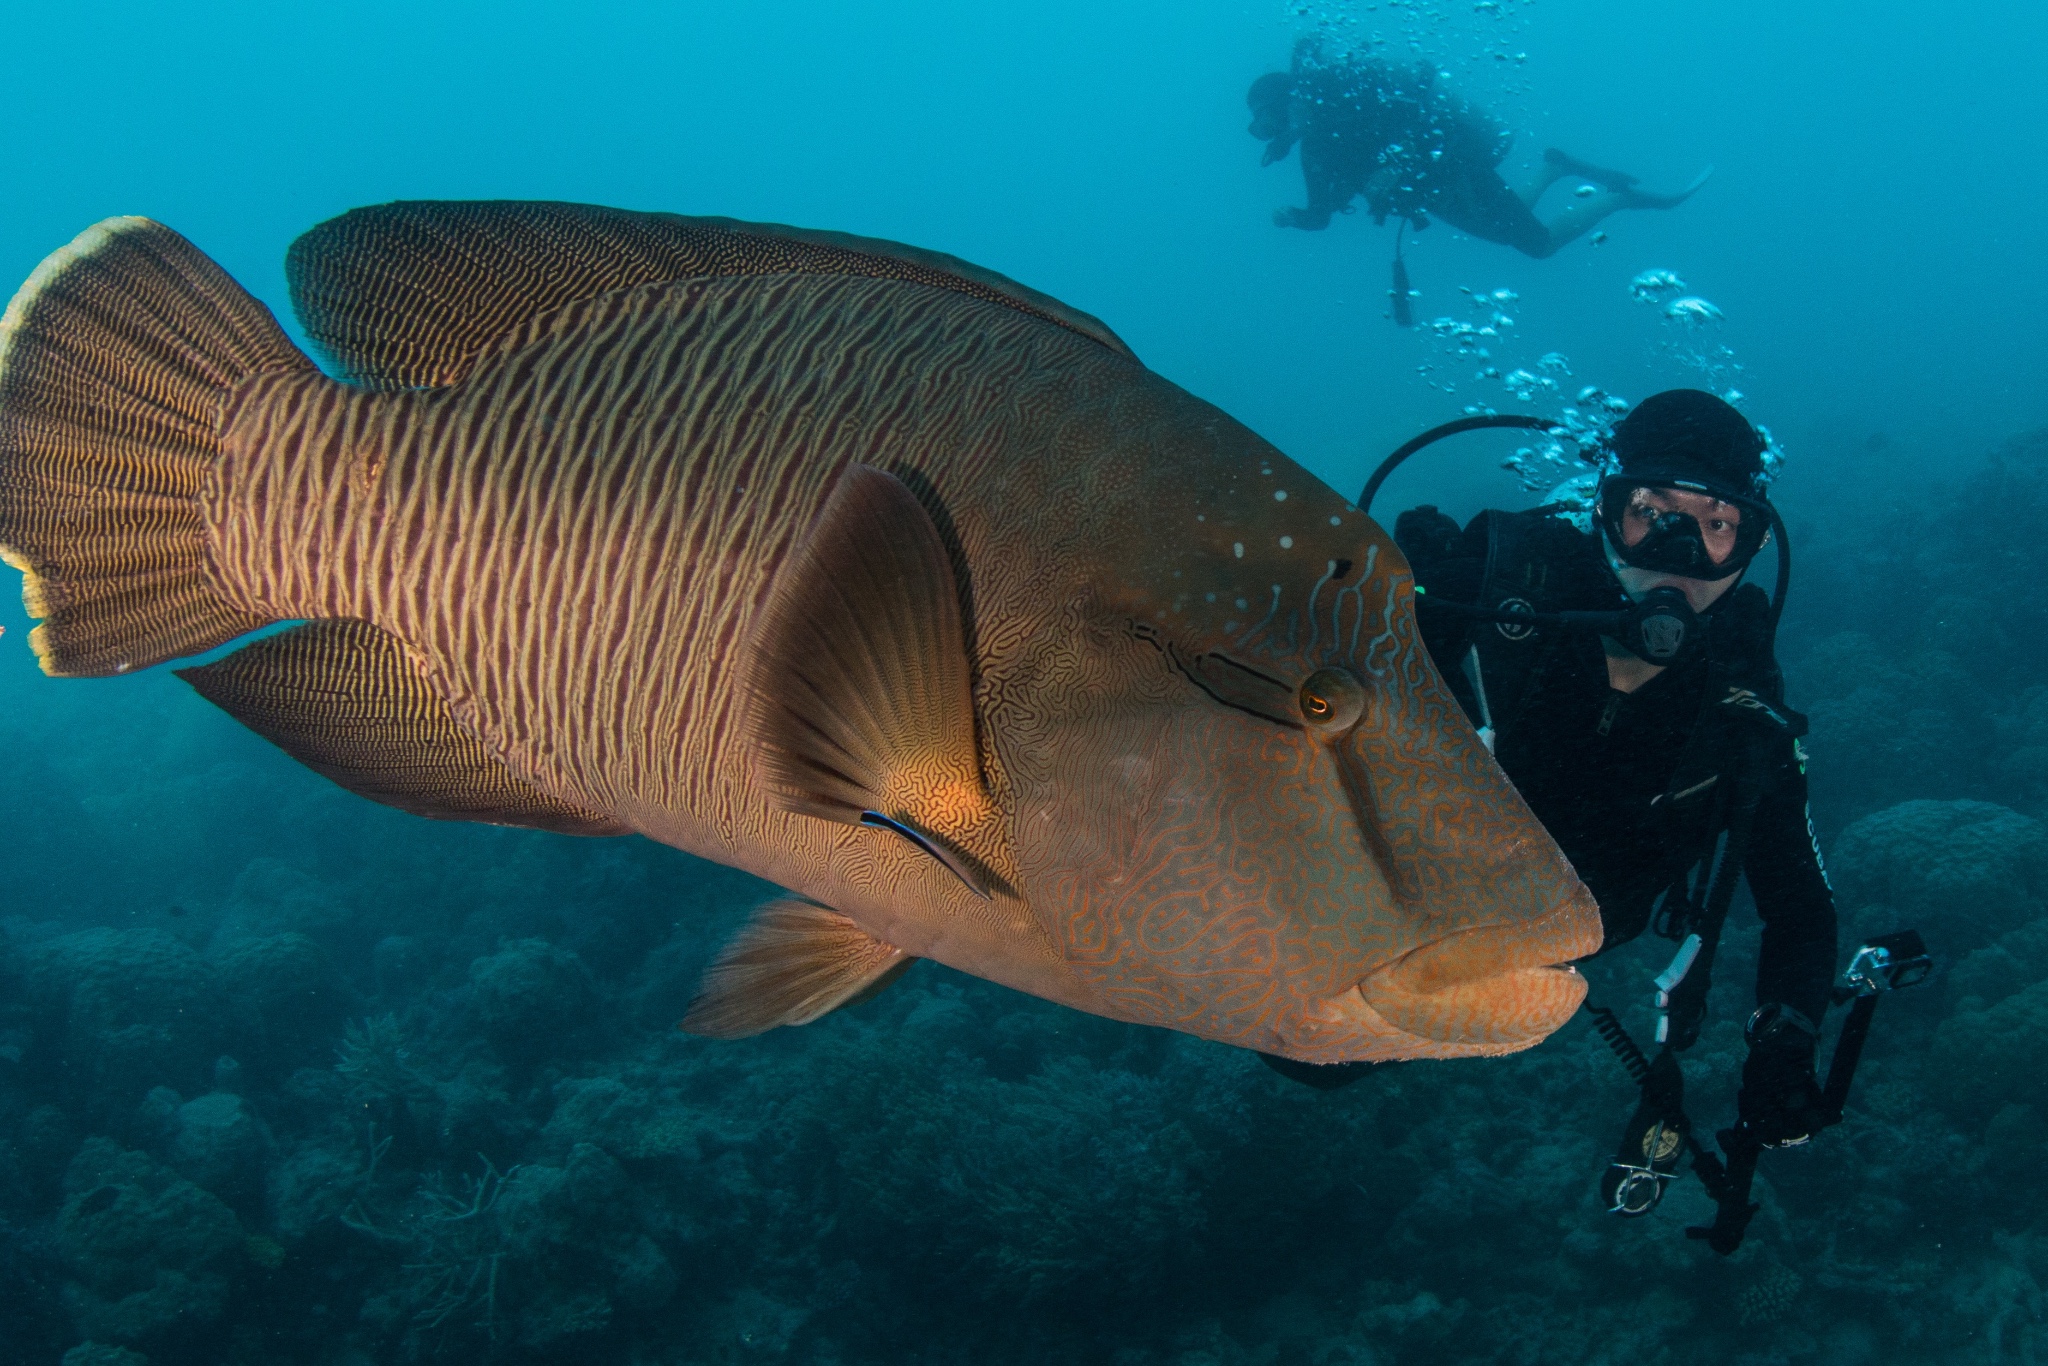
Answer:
[(853, 566)]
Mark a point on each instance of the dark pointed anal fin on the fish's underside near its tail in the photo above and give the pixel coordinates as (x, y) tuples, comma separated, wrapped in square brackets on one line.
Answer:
[(347, 699)]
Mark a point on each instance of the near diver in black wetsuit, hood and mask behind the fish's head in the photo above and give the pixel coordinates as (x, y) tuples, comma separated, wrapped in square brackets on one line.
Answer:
[(1639, 757)]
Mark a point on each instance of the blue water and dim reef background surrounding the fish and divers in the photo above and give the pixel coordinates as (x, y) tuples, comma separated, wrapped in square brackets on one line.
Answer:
[(374, 1091)]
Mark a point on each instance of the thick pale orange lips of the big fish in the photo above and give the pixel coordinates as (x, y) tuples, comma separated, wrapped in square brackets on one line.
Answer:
[(1492, 990)]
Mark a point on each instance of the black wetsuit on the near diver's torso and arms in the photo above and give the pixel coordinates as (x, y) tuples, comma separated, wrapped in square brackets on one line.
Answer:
[(1596, 765)]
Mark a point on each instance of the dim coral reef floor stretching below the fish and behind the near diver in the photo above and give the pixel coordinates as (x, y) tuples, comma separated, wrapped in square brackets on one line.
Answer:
[(288, 1078)]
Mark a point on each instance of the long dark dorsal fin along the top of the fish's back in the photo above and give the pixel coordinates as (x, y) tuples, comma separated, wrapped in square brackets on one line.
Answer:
[(407, 296)]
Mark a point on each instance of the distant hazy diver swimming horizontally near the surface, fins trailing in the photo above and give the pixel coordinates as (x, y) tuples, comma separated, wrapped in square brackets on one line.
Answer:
[(1414, 151)]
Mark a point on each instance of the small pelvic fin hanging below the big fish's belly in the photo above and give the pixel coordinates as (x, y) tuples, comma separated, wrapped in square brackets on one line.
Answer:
[(794, 964)]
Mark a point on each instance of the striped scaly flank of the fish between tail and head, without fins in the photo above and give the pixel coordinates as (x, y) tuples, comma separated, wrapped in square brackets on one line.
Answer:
[(579, 538)]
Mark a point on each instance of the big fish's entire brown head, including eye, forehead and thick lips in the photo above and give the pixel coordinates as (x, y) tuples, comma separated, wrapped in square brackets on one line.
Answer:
[(1263, 818)]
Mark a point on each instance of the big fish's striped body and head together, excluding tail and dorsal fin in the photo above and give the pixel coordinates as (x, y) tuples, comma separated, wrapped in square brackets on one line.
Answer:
[(1203, 773)]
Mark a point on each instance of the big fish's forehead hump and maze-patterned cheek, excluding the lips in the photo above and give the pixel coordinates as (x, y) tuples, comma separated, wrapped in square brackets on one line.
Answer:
[(1250, 867)]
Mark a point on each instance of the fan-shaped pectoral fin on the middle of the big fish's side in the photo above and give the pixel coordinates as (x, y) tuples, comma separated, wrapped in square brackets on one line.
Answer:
[(861, 693)]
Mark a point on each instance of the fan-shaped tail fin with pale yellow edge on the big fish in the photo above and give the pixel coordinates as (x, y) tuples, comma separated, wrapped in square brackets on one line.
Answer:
[(118, 361)]
